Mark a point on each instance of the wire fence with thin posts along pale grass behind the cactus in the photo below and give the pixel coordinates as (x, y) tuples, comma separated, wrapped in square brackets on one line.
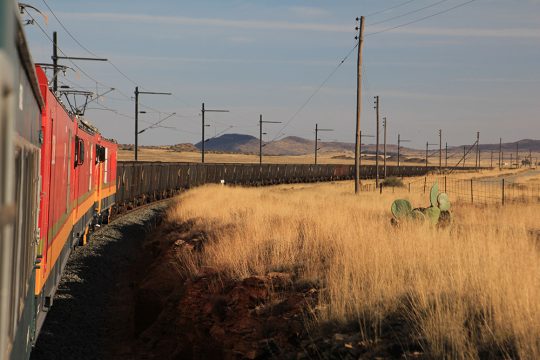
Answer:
[(475, 191)]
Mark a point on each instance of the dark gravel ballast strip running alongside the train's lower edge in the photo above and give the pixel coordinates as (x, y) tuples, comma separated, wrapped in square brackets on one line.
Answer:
[(83, 321)]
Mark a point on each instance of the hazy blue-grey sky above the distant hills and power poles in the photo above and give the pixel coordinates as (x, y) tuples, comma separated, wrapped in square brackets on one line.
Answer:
[(475, 68)]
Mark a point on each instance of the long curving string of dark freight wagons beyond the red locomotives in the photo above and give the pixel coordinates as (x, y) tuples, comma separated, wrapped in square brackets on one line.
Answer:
[(143, 182)]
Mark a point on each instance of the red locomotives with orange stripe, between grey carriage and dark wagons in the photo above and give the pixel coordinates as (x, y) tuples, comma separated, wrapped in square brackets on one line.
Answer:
[(78, 169)]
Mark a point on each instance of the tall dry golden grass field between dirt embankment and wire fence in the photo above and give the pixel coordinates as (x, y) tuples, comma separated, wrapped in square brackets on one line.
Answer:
[(466, 291)]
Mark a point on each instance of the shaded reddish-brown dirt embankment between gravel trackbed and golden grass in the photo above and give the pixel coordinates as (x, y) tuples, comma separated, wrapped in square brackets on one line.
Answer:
[(169, 315)]
